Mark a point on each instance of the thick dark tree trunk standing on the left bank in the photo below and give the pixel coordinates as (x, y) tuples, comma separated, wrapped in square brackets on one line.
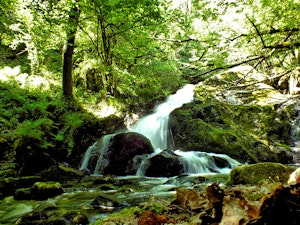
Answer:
[(67, 82)]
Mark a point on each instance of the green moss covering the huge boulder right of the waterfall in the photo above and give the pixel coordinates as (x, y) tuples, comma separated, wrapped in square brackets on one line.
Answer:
[(246, 132)]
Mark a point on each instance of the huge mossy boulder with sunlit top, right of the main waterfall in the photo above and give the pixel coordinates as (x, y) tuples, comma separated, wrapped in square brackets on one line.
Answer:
[(241, 116)]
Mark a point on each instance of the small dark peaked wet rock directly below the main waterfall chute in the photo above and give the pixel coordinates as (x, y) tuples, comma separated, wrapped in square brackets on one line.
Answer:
[(164, 164)]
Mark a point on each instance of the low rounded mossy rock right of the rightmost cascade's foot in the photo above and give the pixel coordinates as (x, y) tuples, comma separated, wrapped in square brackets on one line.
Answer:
[(259, 172)]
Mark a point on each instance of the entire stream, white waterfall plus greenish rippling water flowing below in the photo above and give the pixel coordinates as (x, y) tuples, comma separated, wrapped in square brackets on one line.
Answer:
[(199, 170)]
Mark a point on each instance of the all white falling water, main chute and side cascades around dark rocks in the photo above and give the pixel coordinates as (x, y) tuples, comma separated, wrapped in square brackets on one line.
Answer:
[(155, 128)]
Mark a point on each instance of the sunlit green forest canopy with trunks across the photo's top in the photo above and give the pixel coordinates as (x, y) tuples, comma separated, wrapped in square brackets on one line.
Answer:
[(132, 49)]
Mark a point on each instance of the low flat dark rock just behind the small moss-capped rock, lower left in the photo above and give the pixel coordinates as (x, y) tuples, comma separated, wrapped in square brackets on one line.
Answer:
[(61, 173)]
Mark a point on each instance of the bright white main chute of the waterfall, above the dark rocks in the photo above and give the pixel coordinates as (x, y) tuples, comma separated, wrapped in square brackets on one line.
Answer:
[(155, 126)]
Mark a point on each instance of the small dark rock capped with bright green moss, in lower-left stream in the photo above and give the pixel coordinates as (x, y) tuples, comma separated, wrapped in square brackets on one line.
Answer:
[(45, 190)]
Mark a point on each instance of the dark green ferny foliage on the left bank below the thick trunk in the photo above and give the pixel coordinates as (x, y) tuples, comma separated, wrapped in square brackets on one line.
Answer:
[(34, 118)]
